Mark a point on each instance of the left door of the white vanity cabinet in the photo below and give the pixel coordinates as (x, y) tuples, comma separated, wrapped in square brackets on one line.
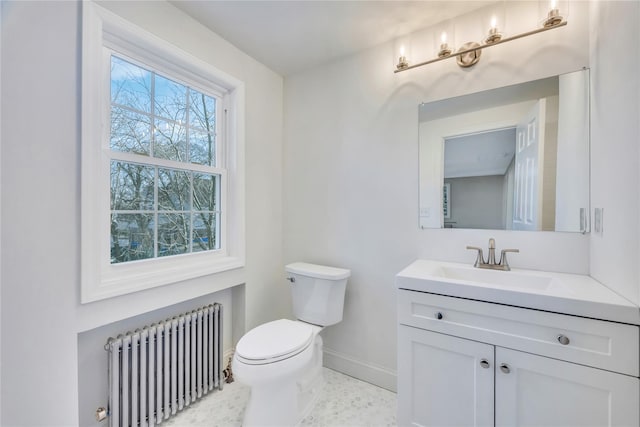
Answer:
[(441, 380)]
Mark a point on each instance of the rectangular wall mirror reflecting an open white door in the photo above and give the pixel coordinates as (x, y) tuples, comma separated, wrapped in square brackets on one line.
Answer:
[(512, 158)]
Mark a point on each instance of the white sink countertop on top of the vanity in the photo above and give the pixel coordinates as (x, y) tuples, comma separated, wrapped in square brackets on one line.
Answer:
[(564, 293)]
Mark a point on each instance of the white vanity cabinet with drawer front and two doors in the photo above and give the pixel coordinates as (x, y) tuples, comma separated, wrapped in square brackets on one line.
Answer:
[(465, 363)]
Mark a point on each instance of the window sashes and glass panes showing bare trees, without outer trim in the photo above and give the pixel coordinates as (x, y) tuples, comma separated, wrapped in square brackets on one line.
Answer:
[(161, 208)]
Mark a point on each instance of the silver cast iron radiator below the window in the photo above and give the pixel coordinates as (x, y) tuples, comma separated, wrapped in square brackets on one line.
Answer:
[(161, 369)]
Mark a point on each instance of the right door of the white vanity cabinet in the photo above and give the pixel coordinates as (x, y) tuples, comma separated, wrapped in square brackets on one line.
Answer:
[(538, 391)]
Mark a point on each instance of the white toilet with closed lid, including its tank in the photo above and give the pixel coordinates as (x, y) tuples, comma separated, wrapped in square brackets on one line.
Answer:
[(282, 360)]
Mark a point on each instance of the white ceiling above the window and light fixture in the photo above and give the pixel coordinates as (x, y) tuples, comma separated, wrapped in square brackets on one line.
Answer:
[(291, 36)]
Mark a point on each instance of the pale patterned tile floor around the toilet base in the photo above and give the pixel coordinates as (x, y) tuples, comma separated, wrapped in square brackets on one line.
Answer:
[(345, 402)]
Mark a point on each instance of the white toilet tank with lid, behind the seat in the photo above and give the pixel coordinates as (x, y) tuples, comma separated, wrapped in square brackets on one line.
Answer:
[(318, 292)]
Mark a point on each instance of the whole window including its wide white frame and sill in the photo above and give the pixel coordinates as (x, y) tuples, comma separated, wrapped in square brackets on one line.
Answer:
[(162, 162)]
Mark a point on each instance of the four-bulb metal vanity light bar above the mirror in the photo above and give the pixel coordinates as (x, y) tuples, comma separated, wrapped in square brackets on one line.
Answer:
[(469, 53)]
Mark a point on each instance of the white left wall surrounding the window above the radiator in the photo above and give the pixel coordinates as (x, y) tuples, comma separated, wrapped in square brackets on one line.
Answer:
[(40, 177)]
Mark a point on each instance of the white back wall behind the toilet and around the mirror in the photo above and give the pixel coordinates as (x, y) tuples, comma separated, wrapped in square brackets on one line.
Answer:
[(351, 177)]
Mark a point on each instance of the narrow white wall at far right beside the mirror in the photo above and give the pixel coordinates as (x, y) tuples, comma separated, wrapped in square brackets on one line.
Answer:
[(615, 126)]
